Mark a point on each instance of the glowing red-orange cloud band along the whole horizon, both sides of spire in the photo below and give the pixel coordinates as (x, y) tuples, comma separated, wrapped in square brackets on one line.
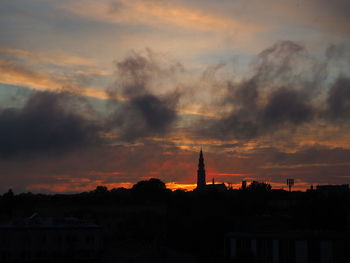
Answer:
[(125, 165)]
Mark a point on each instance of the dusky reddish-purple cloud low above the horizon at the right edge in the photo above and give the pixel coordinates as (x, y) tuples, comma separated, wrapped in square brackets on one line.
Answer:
[(315, 164)]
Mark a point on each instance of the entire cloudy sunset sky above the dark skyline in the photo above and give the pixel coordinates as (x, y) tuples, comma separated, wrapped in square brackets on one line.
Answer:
[(112, 92)]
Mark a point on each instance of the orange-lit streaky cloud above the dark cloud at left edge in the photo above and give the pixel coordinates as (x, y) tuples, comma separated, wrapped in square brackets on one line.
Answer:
[(36, 70)]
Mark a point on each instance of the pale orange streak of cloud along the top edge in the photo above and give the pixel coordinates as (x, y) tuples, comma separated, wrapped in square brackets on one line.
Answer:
[(159, 13)]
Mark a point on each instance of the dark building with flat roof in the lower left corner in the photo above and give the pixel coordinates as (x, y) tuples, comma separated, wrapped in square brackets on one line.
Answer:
[(50, 240)]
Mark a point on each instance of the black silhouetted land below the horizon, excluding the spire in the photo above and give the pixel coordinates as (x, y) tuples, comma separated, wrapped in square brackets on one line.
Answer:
[(150, 223)]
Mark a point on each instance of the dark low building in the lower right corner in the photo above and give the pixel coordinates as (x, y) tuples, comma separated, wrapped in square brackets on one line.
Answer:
[(287, 247)]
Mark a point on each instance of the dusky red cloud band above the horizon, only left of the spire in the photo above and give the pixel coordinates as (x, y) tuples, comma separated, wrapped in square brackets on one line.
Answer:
[(86, 167)]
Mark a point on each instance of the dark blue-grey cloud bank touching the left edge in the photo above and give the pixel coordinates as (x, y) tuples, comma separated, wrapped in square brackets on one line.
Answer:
[(47, 123)]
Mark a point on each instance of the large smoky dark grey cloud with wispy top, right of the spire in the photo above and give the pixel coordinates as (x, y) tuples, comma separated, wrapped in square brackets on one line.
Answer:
[(284, 92)]
